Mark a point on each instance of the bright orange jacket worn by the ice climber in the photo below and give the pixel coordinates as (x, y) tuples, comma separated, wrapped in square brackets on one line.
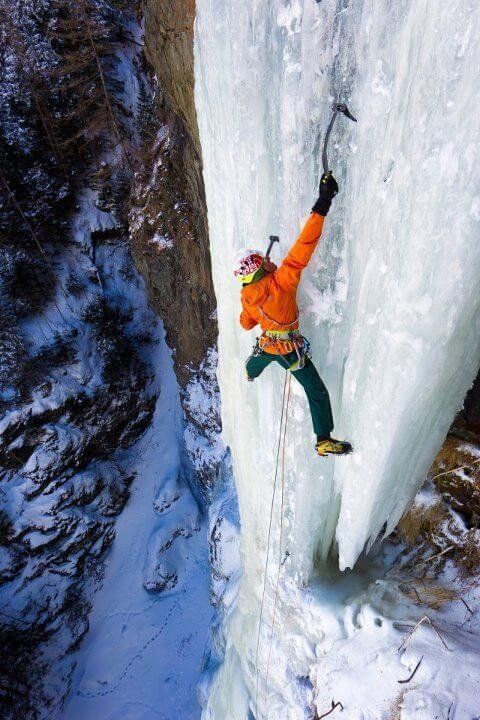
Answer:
[(272, 301)]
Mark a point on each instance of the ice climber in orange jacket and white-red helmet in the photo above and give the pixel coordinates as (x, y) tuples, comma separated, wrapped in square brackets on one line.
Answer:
[(269, 300)]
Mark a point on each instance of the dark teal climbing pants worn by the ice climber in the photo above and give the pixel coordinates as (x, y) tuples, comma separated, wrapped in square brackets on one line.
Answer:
[(308, 377)]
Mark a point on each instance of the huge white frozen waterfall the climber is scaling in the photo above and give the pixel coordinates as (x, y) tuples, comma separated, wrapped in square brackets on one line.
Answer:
[(390, 302)]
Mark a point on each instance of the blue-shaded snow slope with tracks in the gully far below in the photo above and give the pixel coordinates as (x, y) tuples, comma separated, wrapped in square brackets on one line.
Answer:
[(142, 657)]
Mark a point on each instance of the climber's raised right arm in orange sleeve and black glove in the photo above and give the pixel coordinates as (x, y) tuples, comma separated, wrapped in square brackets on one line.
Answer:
[(289, 272)]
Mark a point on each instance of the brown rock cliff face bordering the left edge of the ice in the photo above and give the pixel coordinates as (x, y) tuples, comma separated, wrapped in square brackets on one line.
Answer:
[(169, 222)]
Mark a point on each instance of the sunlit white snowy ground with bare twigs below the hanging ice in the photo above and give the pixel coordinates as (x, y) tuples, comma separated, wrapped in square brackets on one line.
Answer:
[(352, 638)]
